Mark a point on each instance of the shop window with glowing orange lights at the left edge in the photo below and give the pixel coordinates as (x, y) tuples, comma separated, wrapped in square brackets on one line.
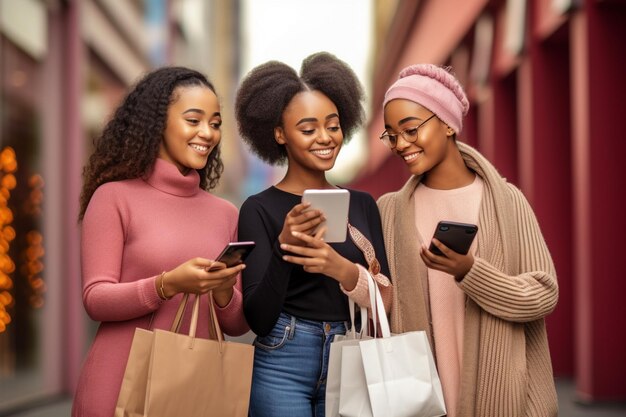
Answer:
[(22, 245)]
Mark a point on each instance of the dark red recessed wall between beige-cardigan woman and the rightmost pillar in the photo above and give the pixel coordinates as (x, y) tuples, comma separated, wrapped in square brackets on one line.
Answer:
[(545, 169)]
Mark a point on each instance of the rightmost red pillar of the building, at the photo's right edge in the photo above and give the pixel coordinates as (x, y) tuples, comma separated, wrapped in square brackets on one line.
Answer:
[(598, 87)]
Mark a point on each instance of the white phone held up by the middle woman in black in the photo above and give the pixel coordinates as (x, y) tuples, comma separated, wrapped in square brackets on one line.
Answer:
[(334, 204)]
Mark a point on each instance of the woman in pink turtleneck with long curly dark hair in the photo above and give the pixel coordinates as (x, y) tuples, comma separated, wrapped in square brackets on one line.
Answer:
[(150, 229)]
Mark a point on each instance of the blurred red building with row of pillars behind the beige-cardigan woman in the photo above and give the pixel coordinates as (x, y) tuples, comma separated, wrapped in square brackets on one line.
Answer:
[(544, 78)]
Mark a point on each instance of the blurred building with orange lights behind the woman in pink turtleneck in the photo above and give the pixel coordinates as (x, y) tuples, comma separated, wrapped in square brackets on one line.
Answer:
[(64, 67)]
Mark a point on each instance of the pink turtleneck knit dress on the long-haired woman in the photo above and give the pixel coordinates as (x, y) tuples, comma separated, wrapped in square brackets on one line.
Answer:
[(132, 231)]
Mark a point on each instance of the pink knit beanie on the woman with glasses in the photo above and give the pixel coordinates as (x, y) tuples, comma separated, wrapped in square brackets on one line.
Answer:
[(435, 88)]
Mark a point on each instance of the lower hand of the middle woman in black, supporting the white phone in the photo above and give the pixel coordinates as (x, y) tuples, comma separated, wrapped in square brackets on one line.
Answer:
[(317, 256)]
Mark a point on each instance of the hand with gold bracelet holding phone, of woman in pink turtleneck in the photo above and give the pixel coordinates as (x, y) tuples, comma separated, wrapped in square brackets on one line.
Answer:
[(198, 276)]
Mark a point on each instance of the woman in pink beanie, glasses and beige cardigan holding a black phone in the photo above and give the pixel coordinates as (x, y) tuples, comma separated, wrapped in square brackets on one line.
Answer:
[(483, 311)]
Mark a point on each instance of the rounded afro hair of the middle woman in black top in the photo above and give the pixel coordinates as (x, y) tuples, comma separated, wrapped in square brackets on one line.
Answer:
[(267, 90)]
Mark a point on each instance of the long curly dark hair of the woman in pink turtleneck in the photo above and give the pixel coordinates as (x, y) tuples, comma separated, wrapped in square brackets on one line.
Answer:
[(130, 142)]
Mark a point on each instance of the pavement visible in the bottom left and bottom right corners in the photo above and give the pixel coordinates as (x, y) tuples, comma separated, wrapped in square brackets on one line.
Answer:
[(568, 407)]
